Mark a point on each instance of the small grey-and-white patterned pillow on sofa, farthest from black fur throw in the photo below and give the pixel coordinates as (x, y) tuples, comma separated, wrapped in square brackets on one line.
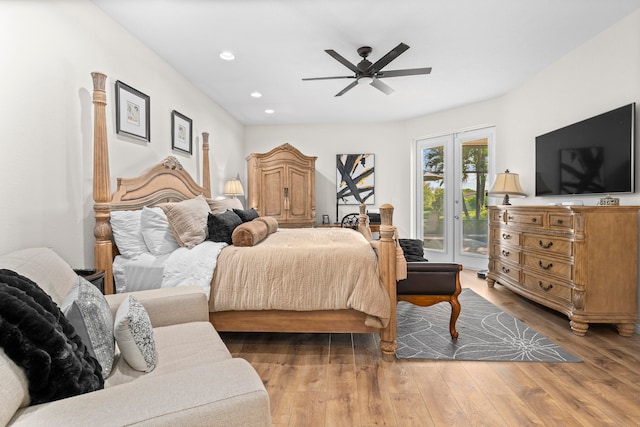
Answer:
[(134, 335)]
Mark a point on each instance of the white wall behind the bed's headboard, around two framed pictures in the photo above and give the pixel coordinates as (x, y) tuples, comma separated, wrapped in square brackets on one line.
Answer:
[(48, 51)]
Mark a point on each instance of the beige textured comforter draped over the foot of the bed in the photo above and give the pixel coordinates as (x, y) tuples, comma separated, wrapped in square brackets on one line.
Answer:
[(302, 269)]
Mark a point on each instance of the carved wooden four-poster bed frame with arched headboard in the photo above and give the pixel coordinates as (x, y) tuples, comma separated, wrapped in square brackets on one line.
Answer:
[(168, 181)]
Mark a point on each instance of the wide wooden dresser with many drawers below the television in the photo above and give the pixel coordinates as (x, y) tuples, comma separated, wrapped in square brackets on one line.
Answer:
[(579, 260)]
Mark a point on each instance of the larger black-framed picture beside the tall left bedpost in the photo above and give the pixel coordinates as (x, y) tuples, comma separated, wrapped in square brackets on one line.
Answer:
[(132, 112)]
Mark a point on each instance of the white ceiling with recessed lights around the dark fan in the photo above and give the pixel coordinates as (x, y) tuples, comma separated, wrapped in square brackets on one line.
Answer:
[(479, 49)]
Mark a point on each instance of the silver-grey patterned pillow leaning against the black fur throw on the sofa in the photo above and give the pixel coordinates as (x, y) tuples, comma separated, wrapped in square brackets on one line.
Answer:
[(88, 311)]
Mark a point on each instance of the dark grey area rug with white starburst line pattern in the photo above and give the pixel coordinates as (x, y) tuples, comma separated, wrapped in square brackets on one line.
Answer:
[(485, 333)]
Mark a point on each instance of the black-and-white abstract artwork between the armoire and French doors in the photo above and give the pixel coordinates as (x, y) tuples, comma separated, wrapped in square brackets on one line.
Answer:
[(354, 179)]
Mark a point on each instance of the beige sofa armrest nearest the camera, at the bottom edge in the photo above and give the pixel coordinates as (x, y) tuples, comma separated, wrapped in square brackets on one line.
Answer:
[(228, 392)]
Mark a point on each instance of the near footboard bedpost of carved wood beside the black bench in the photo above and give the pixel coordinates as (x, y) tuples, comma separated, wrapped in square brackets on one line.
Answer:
[(387, 256)]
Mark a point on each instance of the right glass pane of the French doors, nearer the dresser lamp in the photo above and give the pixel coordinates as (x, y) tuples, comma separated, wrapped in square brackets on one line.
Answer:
[(474, 210)]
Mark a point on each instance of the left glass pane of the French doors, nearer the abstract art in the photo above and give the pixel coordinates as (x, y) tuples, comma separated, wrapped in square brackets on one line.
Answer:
[(433, 197)]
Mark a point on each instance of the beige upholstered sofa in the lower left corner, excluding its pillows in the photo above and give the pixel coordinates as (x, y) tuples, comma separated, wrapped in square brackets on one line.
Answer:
[(196, 382)]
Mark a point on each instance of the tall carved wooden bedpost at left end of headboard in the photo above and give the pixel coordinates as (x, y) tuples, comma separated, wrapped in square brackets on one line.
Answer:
[(103, 249)]
